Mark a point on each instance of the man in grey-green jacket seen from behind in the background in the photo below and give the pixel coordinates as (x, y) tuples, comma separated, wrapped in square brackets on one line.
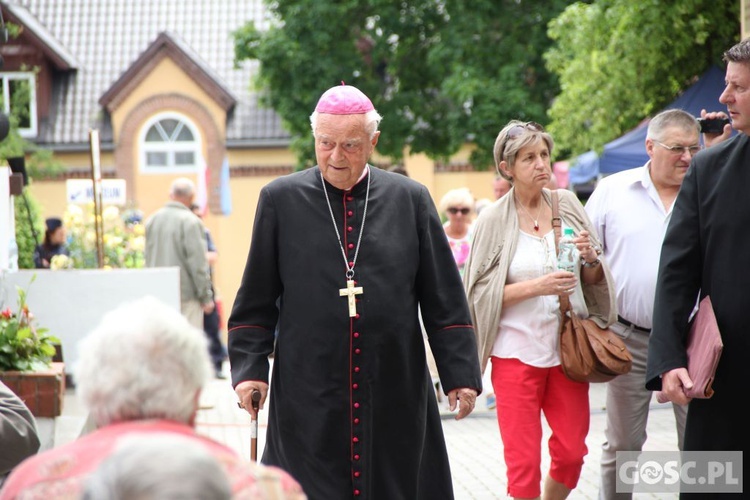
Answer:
[(175, 237)]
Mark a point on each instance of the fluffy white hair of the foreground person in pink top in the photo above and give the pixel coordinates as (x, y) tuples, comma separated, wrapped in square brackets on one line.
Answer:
[(143, 361)]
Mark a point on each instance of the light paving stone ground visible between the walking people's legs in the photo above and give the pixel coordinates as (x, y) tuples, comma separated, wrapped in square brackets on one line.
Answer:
[(474, 445)]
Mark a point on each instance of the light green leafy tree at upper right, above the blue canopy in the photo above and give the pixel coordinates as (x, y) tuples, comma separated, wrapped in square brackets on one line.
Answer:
[(620, 61)]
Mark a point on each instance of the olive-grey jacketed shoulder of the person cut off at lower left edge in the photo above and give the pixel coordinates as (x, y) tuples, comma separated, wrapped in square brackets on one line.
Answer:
[(18, 434)]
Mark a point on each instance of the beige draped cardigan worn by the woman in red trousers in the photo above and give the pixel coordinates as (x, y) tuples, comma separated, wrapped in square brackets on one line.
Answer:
[(495, 236)]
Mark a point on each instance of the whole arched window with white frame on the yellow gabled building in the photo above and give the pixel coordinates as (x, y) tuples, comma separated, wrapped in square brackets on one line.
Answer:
[(170, 143)]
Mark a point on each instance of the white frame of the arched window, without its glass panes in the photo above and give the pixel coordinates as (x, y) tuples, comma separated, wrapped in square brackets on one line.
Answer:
[(170, 147)]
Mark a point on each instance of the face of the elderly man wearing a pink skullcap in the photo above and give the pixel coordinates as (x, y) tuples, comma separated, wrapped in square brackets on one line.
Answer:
[(342, 148)]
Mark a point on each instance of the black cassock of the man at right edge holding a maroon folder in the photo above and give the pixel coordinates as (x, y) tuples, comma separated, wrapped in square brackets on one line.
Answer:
[(707, 249)]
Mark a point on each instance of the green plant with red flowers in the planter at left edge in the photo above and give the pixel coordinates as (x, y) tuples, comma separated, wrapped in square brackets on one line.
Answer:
[(23, 346)]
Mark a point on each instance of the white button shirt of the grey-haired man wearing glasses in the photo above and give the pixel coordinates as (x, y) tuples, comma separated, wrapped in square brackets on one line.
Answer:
[(631, 222)]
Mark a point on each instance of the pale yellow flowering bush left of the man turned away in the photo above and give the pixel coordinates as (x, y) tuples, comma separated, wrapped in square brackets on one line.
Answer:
[(123, 238)]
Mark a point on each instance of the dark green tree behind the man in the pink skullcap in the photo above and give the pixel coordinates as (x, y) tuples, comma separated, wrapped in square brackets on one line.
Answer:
[(440, 73)]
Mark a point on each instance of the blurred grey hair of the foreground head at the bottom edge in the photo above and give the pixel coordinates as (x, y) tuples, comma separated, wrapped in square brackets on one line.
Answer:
[(158, 467)]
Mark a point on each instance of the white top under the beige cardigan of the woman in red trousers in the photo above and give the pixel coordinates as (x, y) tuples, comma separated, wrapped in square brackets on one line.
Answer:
[(529, 329)]
